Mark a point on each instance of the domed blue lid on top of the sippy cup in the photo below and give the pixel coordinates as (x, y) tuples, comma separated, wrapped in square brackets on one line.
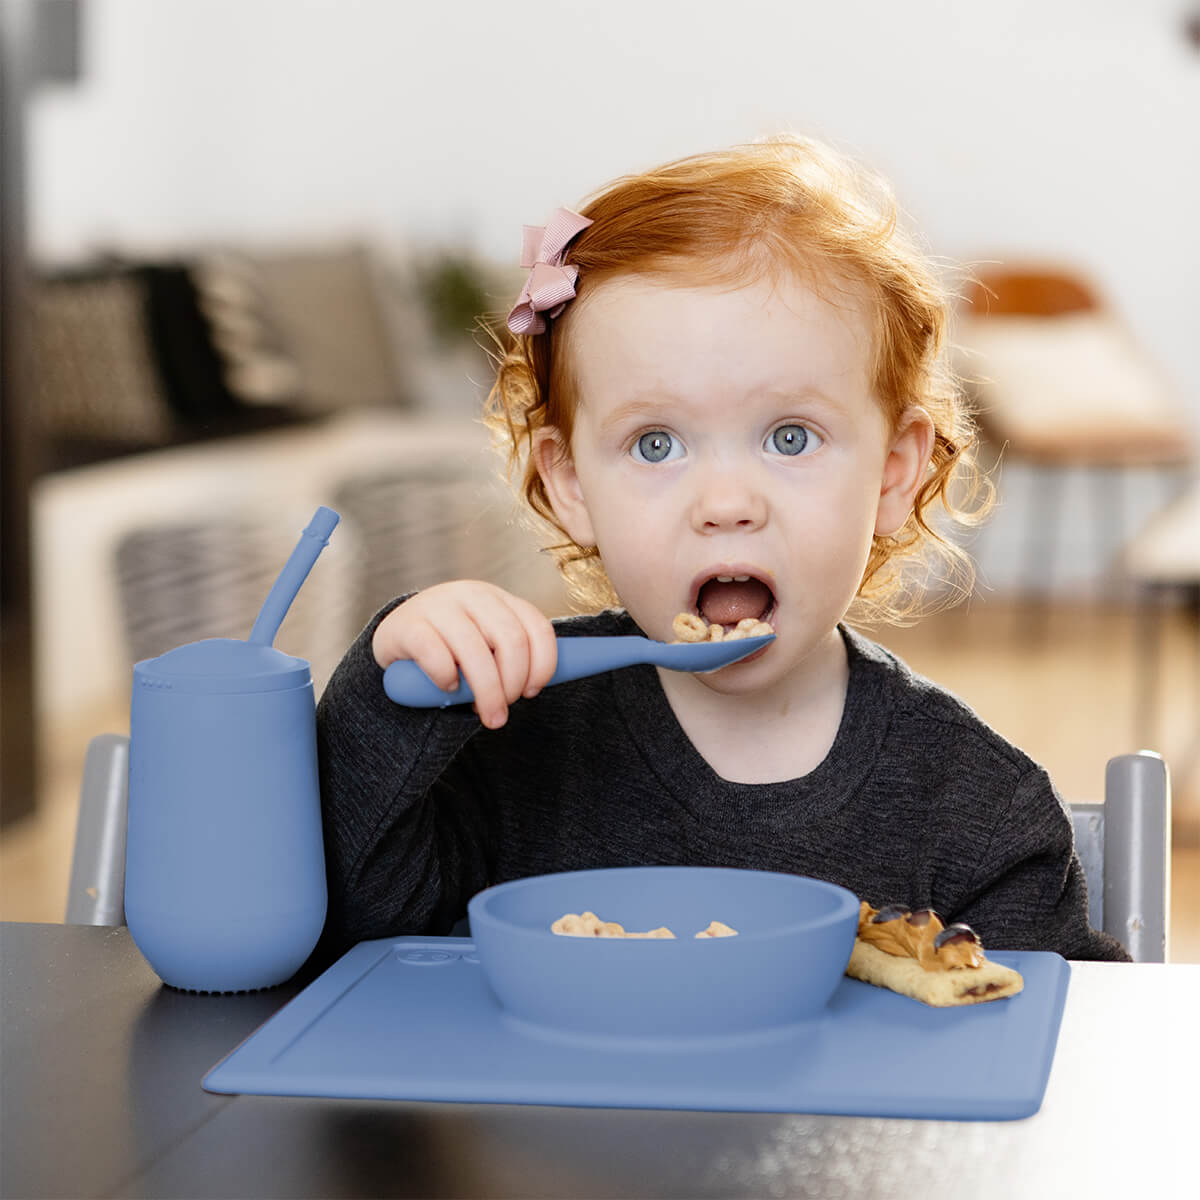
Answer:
[(223, 665)]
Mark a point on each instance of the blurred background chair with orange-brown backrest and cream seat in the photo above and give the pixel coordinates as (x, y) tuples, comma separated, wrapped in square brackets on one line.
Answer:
[(1063, 386)]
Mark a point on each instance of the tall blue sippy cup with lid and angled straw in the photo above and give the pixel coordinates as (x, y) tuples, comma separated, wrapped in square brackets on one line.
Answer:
[(225, 878)]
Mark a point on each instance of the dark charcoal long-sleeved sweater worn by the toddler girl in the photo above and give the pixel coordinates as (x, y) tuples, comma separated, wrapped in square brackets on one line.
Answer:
[(917, 803)]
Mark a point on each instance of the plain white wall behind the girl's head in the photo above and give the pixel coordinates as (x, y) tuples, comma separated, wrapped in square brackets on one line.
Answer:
[(1065, 128)]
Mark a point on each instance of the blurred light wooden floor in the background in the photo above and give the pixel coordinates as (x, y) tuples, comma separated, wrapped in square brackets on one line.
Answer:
[(1066, 697)]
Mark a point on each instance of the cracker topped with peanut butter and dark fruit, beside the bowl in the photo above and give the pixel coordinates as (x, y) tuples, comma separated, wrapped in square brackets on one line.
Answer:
[(915, 955)]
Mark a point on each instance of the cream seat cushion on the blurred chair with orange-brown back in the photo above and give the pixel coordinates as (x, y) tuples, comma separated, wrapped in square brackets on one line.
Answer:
[(1075, 387)]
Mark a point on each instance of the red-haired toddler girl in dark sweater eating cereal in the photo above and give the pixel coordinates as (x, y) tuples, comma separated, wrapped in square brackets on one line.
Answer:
[(727, 395)]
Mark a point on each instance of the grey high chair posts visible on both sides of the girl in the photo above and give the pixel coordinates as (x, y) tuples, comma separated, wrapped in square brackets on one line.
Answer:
[(1124, 845)]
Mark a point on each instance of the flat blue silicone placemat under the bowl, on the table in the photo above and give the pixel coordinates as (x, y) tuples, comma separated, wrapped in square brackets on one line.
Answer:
[(413, 1019)]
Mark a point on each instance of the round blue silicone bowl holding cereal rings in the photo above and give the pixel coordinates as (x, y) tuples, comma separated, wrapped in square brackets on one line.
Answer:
[(795, 938)]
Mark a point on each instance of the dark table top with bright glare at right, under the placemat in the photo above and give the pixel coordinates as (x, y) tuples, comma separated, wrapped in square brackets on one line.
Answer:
[(101, 1067)]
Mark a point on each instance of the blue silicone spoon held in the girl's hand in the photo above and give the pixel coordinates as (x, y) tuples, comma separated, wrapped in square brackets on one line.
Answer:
[(407, 685)]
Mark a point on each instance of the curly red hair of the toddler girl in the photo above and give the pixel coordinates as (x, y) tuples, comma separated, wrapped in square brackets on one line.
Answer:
[(785, 205)]
